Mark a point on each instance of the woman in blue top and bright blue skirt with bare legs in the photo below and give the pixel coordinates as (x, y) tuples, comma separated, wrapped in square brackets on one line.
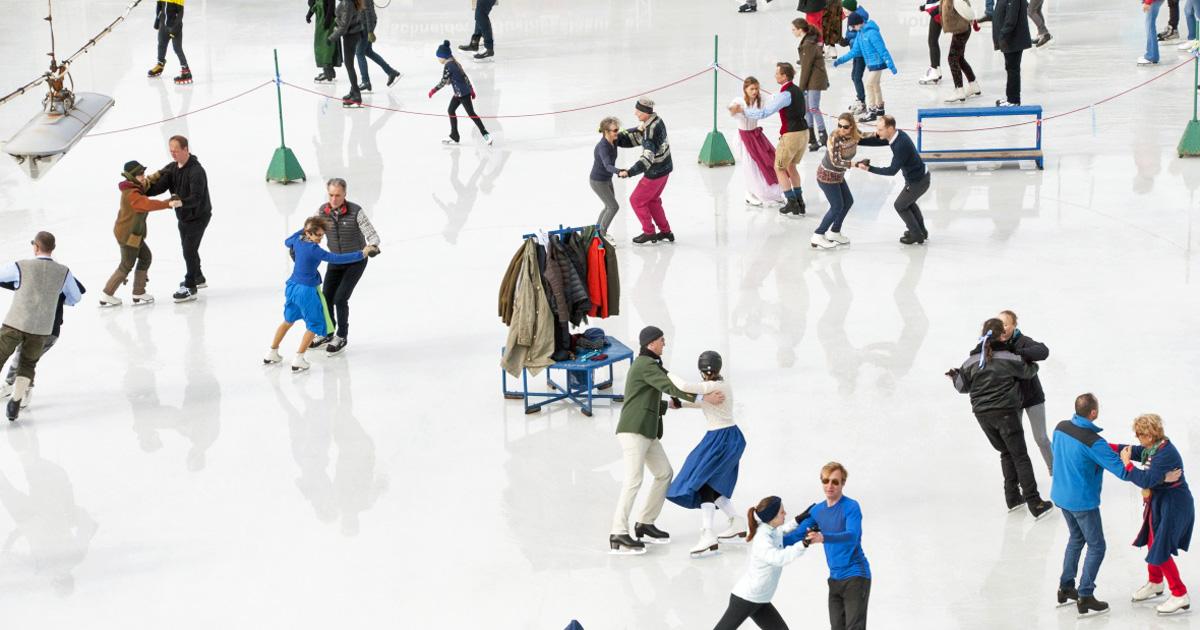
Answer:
[(303, 301)]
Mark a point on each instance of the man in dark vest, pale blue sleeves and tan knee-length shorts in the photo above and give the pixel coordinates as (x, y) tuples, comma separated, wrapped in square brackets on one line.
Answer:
[(794, 134)]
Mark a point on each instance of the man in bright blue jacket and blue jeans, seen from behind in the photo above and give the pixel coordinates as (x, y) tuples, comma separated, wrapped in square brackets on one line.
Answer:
[(1081, 458)]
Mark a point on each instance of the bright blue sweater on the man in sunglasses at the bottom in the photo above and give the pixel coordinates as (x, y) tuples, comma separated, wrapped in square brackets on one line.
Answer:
[(842, 525)]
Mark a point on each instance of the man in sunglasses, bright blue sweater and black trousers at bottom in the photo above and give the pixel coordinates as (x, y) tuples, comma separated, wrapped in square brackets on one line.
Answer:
[(838, 525)]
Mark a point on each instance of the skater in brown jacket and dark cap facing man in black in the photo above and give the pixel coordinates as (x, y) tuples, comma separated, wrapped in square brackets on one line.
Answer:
[(131, 236)]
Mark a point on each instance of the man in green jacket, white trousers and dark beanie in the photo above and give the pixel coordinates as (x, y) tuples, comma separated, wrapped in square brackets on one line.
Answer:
[(639, 434)]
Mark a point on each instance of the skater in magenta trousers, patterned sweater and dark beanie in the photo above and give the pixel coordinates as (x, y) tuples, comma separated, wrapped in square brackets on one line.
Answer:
[(655, 165)]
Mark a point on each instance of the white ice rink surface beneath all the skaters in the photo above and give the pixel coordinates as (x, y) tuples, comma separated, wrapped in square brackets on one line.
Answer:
[(164, 479)]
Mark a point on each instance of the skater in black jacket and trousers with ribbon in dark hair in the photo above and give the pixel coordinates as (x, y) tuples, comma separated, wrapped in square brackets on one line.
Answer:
[(991, 376)]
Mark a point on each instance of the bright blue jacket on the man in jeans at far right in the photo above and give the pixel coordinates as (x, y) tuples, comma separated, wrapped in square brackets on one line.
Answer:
[(1081, 458)]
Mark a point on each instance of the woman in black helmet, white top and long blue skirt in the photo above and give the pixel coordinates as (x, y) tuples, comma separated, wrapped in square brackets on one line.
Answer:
[(711, 471)]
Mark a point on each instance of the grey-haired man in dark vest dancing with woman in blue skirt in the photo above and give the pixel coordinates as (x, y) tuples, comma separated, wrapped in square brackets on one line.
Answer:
[(350, 231)]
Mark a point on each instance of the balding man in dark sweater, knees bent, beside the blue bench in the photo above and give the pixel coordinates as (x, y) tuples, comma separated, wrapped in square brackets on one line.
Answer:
[(916, 177)]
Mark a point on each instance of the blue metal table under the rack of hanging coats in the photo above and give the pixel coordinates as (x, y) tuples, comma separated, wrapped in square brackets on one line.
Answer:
[(580, 393)]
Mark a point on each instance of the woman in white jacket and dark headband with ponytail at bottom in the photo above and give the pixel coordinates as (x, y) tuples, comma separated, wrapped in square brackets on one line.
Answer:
[(752, 596)]
